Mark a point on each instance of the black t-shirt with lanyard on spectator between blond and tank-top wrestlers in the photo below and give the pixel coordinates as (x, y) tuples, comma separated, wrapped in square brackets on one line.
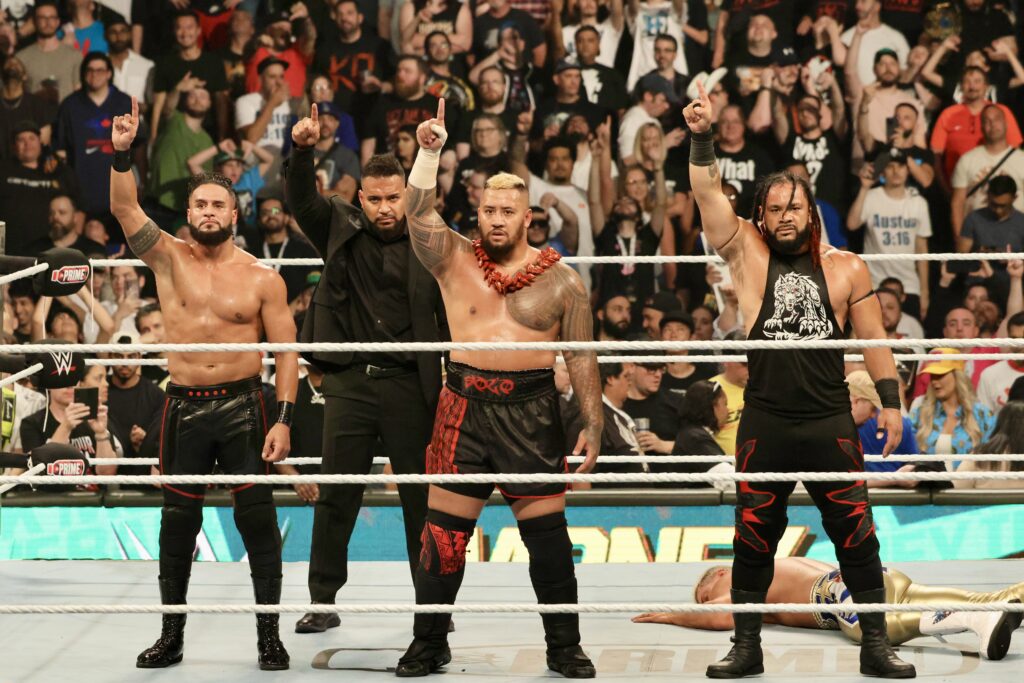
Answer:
[(636, 281)]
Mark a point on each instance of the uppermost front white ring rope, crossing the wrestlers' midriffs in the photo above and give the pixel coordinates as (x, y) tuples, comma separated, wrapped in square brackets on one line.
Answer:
[(434, 348)]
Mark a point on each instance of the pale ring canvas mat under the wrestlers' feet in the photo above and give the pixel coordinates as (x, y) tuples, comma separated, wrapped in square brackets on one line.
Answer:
[(93, 649)]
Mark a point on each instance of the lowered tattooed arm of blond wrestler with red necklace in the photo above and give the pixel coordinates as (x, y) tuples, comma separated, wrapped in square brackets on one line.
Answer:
[(577, 325)]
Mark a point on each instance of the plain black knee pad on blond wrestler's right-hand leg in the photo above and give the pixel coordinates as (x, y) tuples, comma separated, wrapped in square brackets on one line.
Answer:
[(551, 568)]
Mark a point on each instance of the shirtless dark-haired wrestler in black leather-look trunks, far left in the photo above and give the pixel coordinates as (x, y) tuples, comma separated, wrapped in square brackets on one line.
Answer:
[(212, 292)]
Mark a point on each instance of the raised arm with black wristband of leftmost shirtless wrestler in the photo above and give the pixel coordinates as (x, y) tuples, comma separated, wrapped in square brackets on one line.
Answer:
[(146, 240)]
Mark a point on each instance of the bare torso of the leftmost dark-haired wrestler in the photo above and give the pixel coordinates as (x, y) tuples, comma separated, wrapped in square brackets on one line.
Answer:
[(211, 303)]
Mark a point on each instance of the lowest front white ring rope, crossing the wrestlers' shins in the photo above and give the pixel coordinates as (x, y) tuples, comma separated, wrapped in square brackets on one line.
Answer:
[(514, 608)]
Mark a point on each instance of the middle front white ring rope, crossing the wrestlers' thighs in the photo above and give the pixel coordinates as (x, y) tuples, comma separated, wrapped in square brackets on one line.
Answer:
[(606, 478)]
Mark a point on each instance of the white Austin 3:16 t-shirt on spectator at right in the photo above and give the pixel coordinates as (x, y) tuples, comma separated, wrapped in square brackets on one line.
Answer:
[(892, 228)]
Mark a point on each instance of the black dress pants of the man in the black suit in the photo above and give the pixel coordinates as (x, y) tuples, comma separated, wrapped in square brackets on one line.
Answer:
[(360, 412)]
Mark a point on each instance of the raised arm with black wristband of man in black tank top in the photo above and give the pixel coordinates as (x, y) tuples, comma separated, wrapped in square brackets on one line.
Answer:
[(720, 222)]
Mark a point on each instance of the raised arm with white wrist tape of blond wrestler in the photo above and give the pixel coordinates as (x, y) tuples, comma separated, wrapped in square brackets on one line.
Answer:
[(433, 240)]
